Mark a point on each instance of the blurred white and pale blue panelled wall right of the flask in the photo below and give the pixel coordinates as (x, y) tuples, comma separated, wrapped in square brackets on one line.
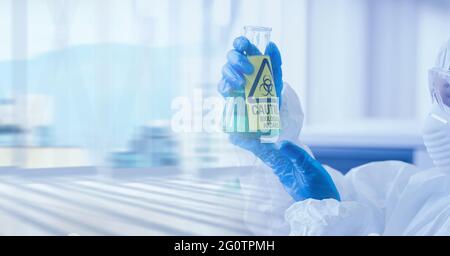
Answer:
[(369, 60)]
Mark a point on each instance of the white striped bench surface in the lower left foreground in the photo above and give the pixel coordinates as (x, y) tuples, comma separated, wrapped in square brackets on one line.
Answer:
[(74, 201)]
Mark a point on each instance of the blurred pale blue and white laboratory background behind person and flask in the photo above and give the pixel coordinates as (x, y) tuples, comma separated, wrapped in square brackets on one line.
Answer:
[(87, 91)]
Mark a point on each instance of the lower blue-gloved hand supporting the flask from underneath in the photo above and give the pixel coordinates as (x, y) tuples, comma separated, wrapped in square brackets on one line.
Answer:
[(302, 176)]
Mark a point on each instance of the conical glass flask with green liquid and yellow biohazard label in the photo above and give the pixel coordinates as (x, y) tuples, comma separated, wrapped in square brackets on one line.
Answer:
[(254, 110)]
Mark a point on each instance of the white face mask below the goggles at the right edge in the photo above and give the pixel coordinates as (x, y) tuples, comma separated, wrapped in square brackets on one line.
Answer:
[(436, 136)]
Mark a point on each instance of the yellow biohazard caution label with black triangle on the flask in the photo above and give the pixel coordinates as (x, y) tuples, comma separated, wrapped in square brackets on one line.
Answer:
[(261, 97)]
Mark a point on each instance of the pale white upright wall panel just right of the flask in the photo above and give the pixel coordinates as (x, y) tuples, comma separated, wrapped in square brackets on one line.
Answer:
[(336, 55)]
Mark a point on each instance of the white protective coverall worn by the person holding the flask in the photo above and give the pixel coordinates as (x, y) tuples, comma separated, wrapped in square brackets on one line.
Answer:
[(381, 198)]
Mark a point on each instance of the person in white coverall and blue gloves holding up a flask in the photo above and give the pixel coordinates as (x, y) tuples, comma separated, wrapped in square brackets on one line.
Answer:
[(289, 192)]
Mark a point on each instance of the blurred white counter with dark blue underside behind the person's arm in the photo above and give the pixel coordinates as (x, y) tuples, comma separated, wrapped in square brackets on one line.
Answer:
[(345, 146)]
